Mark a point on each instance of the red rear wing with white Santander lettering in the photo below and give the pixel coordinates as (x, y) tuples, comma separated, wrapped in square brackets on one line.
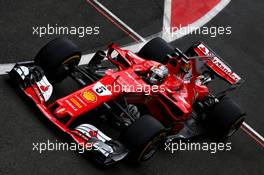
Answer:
[(217, 65)]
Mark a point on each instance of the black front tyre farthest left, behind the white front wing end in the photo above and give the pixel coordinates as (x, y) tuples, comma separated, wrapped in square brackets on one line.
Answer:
[(57, 58)]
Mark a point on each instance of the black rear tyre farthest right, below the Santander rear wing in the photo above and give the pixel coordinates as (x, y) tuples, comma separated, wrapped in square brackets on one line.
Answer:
[(225, 119)]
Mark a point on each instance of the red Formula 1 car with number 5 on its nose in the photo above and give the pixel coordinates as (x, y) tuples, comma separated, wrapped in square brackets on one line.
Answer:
[(144, 98)]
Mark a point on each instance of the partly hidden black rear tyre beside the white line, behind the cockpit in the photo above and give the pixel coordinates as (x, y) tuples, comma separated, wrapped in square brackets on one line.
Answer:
[(156, 49)]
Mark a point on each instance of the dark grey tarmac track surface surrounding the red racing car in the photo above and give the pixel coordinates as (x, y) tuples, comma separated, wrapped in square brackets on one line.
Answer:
[(21, 126)]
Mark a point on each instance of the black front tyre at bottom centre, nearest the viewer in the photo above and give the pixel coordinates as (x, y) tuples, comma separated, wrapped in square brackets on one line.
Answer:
[(143, 138)]
